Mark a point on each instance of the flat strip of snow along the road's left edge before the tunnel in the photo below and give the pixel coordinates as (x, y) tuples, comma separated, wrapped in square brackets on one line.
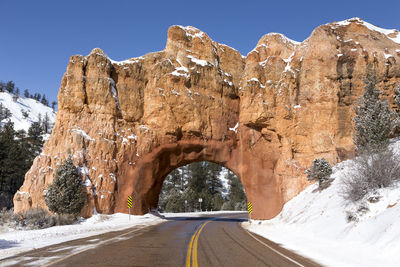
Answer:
[(16, 241)]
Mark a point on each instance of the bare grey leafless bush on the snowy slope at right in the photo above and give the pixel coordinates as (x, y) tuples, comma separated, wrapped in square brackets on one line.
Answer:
[(371, 171)]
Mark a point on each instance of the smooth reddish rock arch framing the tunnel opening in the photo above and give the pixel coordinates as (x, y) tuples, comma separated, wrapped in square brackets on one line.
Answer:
[(146, 179)]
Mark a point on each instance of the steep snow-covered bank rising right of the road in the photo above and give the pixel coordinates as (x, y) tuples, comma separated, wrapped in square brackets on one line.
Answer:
[(315, 225)]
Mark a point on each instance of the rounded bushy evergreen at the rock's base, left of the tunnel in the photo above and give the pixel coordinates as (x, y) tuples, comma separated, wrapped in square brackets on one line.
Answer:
[(65, 195)]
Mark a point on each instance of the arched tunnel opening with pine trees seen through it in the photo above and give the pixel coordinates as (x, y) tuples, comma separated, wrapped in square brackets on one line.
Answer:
[(201, 186)]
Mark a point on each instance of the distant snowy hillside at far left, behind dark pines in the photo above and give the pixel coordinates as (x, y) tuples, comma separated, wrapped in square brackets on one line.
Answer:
[(29, 105)]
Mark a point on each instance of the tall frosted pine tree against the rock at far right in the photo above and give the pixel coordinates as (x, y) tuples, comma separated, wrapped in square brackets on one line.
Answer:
[(373, 120)]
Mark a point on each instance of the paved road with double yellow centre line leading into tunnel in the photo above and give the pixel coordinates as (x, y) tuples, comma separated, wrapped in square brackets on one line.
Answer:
[(205, 241)]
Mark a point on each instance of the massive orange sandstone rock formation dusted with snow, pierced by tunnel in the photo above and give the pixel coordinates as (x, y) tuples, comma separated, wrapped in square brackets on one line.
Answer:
[(265, 116)]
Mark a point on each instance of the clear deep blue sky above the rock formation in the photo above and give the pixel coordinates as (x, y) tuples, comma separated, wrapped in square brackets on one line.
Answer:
[(38, 37)]
